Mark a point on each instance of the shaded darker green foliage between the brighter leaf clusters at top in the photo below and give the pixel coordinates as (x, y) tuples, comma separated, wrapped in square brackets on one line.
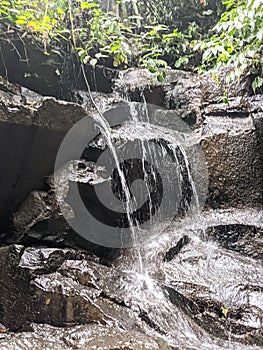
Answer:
[(184, 21)]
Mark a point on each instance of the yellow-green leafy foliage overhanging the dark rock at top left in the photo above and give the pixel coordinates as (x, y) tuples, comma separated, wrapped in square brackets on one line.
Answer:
[(96, 35)]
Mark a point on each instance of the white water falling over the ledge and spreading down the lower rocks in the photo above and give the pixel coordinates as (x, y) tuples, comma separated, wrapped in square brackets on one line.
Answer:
[(145, 288)]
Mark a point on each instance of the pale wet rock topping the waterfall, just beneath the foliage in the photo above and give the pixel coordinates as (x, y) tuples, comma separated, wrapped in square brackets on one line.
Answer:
[(180, 91)]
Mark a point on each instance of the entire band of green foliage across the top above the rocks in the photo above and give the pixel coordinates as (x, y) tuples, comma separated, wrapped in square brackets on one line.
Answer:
[(172, 32)]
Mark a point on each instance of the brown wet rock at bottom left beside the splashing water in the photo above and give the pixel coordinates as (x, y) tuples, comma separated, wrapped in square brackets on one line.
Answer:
[(65, 288)]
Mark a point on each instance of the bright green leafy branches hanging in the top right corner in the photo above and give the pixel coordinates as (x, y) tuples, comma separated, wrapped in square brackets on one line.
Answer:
[(237, 41)]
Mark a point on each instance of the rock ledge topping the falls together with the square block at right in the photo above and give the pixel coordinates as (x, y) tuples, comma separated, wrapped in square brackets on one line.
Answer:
[(231, 133)]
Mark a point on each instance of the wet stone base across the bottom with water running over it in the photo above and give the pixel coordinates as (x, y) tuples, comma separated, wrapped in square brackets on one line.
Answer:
[(207, 287)]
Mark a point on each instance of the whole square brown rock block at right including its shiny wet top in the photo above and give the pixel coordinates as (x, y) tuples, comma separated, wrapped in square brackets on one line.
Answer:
[(233, 153)]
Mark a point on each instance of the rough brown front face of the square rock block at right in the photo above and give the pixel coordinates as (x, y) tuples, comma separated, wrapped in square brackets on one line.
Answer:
[(233, 161)]
